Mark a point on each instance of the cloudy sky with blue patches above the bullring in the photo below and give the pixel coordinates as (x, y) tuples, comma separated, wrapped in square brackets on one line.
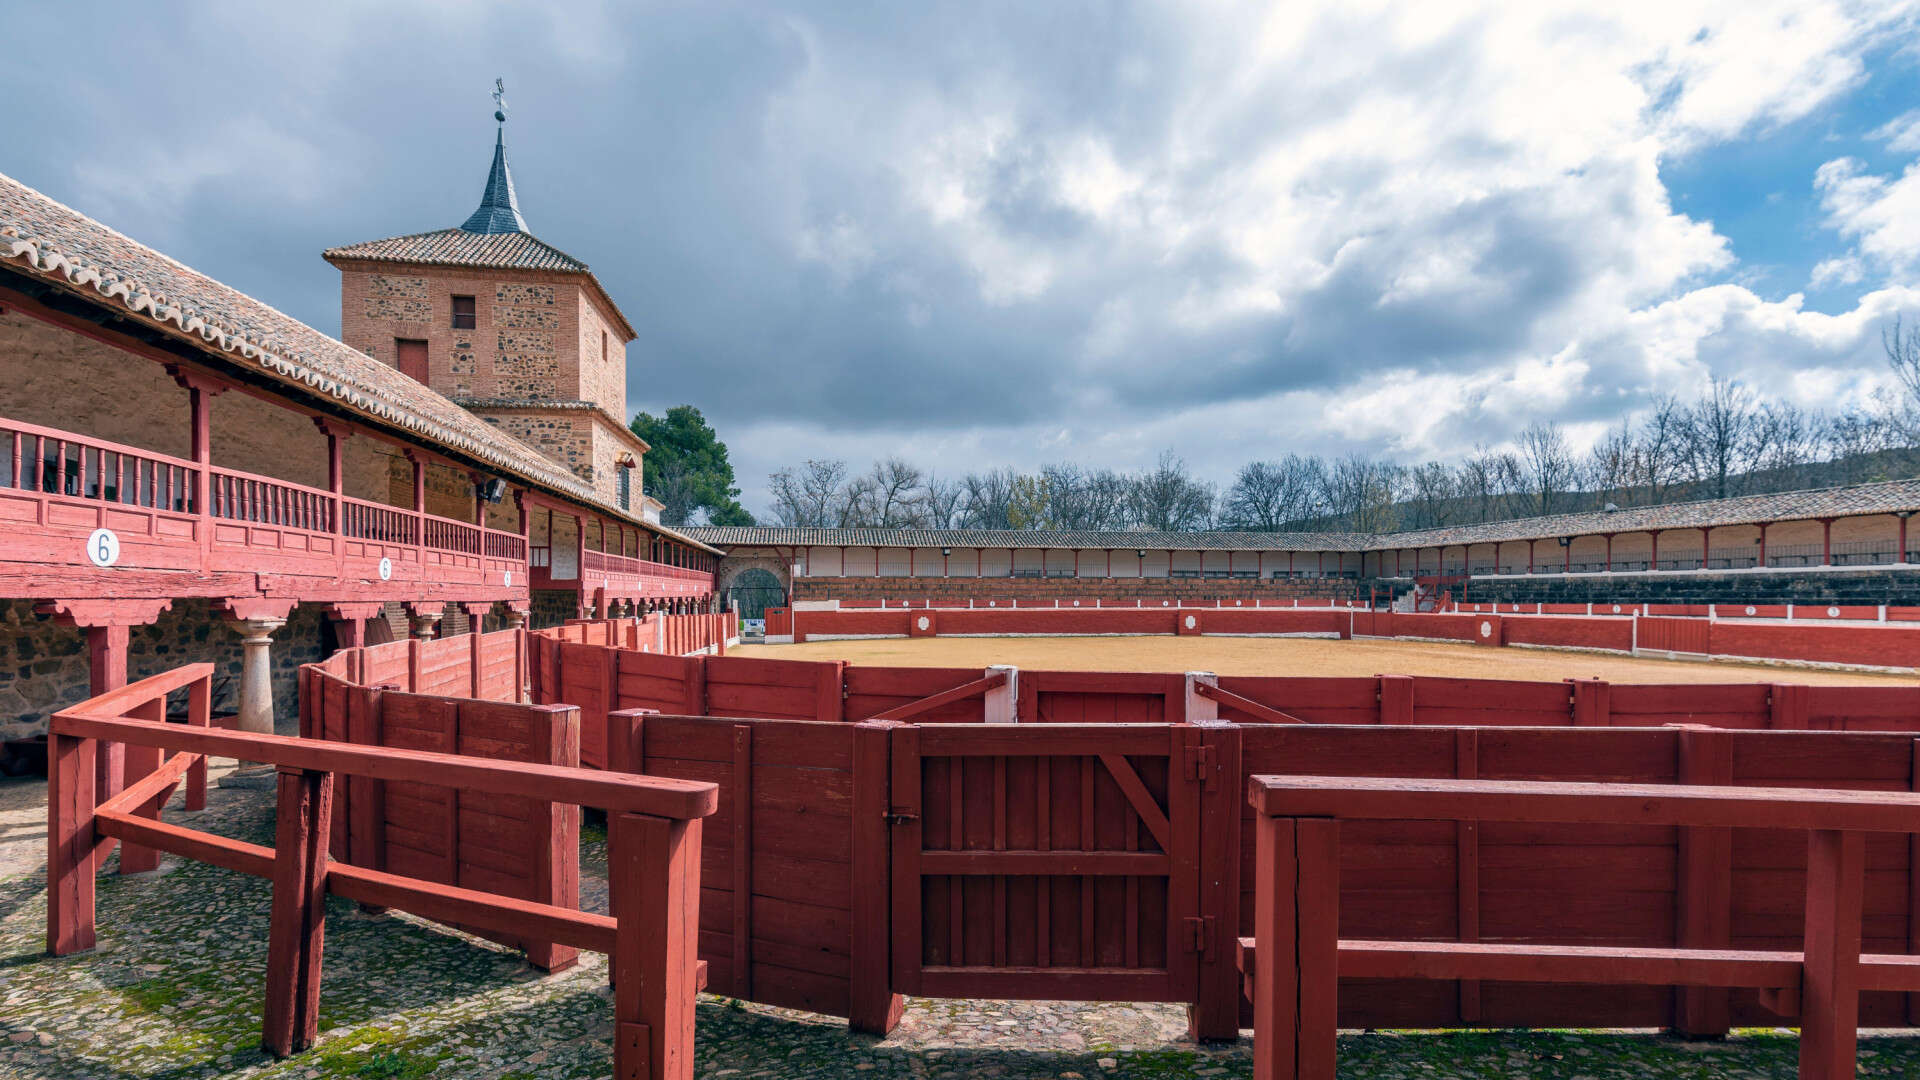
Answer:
[(1017, 233)]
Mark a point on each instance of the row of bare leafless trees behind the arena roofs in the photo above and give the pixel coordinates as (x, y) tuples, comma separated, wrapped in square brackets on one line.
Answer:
[(1721, 445)]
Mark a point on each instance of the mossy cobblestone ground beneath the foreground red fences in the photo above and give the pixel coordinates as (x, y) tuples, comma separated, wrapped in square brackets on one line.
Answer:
[(176, 993)]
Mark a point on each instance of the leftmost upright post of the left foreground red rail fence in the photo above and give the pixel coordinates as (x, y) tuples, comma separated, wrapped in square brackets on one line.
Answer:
[(70, 845)]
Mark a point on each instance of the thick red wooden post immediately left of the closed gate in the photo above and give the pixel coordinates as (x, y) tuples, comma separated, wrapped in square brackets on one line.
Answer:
[(873, 1004)]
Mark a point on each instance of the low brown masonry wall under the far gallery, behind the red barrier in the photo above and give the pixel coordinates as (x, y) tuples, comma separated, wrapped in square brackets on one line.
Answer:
[(1199, 591)]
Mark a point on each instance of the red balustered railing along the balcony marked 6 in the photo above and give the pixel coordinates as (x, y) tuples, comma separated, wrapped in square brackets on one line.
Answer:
[(59, 466)]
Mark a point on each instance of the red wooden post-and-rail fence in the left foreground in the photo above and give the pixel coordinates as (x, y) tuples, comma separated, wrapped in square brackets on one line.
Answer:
[(654, 860)]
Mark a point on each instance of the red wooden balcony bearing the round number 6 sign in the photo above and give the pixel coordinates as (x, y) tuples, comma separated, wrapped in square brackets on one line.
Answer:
[(172, 514)]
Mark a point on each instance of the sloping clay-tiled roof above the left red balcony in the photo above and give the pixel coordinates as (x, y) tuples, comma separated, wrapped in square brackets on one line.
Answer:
[(60, 245)]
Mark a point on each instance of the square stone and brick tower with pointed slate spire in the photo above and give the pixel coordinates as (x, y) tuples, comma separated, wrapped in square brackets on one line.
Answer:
[(508, 326)]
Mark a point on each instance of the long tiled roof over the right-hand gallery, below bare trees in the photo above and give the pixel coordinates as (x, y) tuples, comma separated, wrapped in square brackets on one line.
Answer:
[(1704, 514)]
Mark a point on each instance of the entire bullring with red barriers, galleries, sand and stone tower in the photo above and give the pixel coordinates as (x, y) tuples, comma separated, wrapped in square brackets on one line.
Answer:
[(364, 720)]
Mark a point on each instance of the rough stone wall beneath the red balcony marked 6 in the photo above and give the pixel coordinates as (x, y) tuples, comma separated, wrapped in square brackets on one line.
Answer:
[(43, 664)]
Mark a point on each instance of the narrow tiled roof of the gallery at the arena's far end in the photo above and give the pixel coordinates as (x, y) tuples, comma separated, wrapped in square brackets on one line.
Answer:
[(1120, 541)]
